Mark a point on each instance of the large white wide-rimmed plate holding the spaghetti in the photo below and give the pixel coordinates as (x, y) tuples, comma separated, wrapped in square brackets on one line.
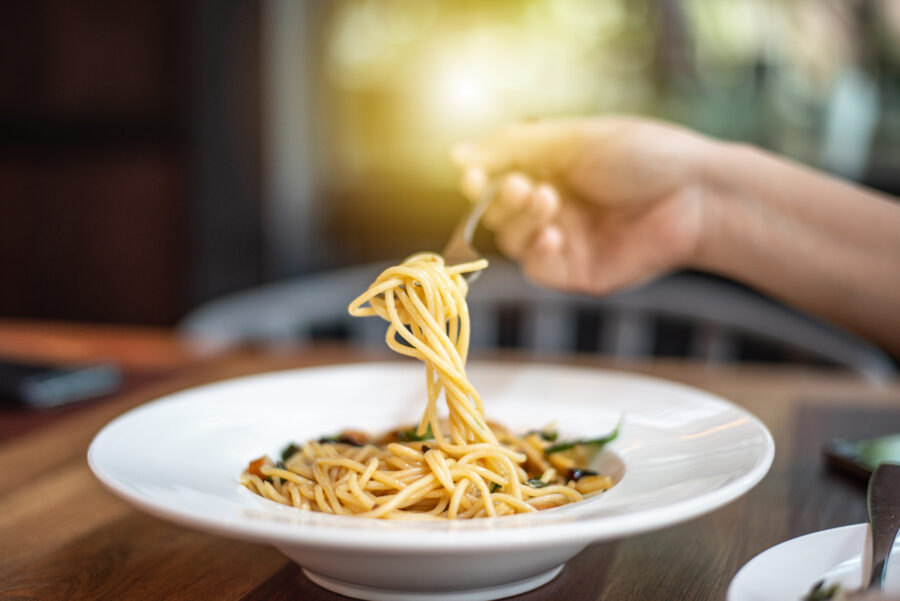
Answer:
[(685, 452)]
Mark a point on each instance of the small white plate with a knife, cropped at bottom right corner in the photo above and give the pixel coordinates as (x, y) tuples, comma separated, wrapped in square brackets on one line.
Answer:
[(787, 571)]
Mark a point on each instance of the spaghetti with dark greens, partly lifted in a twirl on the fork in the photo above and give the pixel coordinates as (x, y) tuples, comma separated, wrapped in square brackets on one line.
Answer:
[(458, 467)]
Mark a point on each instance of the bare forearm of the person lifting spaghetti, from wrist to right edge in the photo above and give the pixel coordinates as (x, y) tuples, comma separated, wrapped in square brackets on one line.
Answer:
[(820, 244)]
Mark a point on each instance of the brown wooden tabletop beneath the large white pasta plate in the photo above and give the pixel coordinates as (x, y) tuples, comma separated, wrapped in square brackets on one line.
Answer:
[(63, 536)]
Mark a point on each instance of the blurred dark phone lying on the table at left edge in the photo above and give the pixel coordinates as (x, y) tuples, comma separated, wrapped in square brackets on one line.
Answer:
[(40, 386)]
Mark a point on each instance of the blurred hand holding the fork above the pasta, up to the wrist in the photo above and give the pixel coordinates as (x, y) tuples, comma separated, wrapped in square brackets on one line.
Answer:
[(592, 205)]
